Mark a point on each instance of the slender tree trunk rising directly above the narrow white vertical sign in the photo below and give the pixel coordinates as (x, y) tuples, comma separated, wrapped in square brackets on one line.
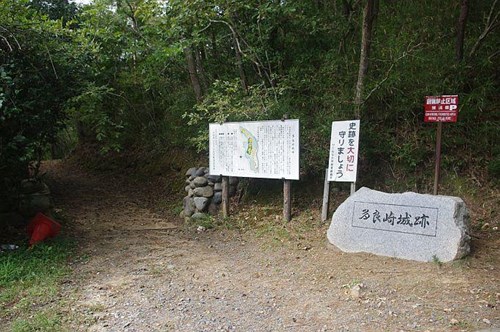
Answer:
[(369, 15)]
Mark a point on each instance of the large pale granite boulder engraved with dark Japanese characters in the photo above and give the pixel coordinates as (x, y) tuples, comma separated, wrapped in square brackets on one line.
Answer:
[(409, 225)]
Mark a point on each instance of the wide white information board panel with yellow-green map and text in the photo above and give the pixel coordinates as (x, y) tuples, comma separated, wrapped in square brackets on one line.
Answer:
[(256, 149)]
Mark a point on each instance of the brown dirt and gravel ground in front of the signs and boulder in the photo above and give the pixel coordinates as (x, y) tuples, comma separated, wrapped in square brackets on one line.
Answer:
[(144, 269)]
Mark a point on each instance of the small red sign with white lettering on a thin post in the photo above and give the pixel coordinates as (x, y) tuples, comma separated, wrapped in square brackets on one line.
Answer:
[(441, 108)]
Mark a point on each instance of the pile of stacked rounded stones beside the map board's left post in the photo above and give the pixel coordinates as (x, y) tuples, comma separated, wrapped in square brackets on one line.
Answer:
[(204, 192)]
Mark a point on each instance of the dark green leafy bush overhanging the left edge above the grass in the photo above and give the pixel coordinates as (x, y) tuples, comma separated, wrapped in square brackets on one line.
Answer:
[(39, 71)]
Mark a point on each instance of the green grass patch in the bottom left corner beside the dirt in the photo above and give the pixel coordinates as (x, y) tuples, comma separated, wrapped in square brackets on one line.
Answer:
[(30, 279)]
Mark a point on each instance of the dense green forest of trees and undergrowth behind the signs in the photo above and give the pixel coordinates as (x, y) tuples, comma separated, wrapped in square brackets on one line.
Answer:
[(145, 77)]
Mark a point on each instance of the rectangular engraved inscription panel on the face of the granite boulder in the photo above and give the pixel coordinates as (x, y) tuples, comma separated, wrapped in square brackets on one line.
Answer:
[(396, 218)]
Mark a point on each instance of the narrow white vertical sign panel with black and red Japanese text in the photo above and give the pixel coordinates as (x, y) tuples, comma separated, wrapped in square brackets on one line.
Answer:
[(344, 146)]
